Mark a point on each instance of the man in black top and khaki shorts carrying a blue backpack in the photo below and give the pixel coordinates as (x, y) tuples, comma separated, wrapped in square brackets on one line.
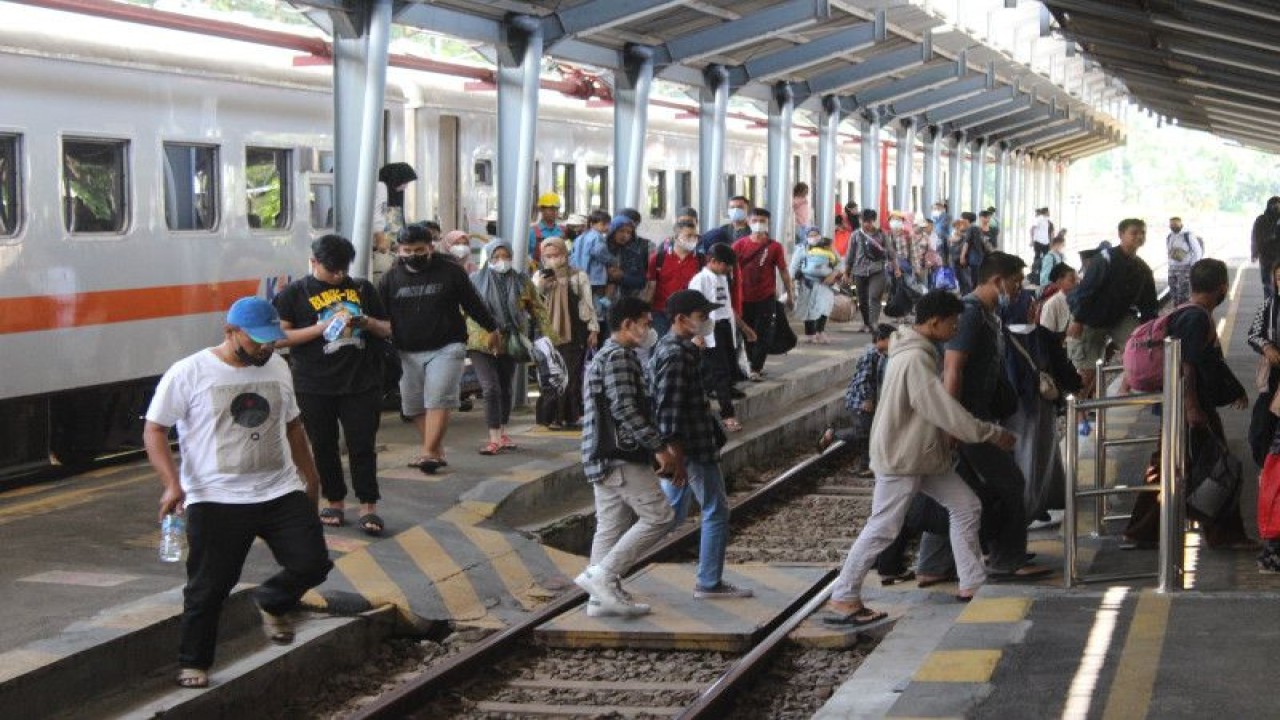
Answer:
[(1118, 291)]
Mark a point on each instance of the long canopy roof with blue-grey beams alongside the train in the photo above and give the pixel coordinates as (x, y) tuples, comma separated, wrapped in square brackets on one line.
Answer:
[(989, 69)]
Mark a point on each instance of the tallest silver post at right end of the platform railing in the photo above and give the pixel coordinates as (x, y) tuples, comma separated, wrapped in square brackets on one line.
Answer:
[(1171, 482)]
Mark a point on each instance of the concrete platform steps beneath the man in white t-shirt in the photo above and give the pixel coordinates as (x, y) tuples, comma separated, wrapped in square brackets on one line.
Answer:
[(132, 675)]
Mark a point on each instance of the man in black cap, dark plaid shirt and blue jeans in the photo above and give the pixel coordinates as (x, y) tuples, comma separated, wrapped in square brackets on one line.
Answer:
[(687, 425)]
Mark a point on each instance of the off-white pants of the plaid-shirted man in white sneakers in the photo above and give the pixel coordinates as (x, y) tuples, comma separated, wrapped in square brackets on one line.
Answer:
[(625, 490)]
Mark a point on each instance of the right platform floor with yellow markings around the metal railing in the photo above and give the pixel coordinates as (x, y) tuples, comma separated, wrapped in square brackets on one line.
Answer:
[(1110, 651)]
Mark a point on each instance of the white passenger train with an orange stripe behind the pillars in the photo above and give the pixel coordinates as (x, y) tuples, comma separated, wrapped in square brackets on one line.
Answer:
[(147, 184)]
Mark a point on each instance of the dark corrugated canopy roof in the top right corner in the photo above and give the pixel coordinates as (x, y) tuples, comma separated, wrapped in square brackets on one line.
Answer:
[(1208, 65)]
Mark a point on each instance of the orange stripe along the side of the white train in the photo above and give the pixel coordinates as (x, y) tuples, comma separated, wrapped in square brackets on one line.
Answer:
[(60, 312)]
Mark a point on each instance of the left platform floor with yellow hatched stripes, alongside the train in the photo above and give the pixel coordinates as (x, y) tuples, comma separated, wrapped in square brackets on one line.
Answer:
[(81, 571)]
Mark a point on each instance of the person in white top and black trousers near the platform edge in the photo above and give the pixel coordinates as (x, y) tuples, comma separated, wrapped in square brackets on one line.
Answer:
[(719, 332)]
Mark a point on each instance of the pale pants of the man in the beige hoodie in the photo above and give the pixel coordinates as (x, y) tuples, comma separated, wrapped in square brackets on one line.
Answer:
[(890, 502)]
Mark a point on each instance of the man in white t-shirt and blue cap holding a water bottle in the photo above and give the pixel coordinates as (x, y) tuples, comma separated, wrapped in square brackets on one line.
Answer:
[(243, 450)]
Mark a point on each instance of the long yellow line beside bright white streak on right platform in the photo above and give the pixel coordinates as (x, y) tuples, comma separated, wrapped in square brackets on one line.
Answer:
[(1140, 660)]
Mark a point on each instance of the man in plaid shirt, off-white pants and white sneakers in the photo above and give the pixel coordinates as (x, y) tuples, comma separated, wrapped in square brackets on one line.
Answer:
[(619, 444)]
